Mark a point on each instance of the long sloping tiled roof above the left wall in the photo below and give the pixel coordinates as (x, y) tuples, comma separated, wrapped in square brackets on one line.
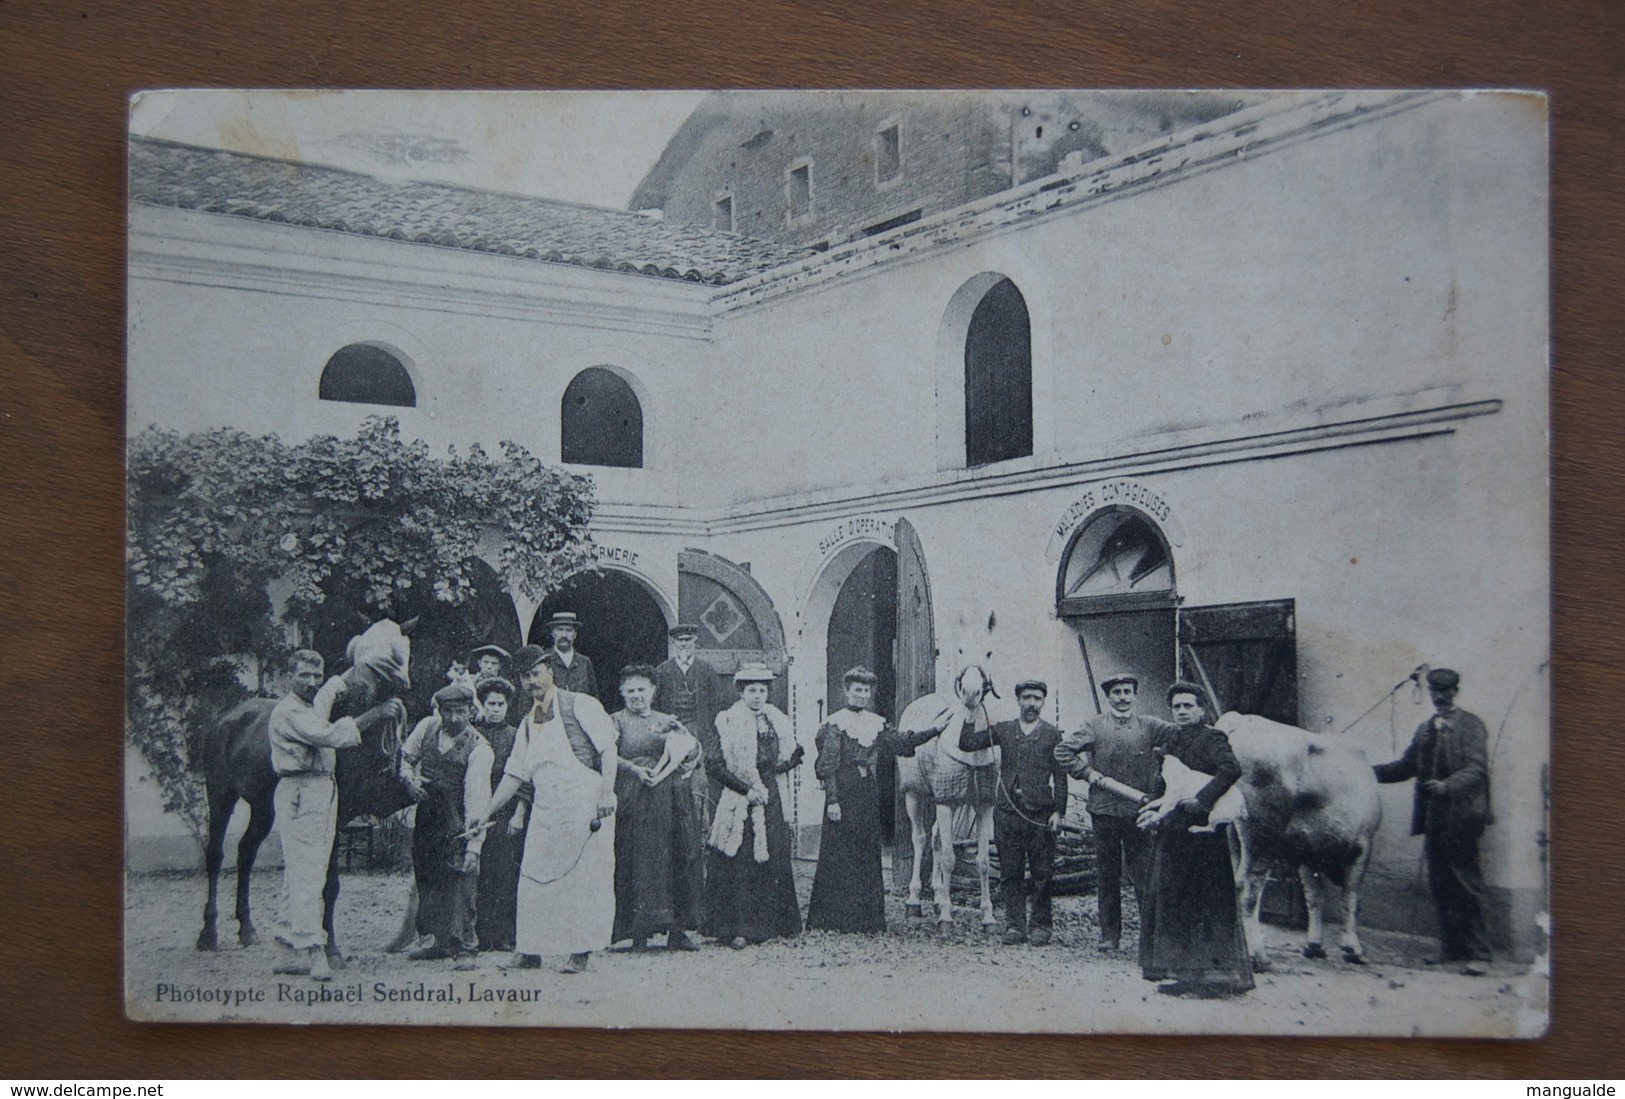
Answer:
[(238, 185)]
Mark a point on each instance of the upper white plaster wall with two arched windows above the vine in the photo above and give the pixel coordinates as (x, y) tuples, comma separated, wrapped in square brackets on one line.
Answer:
[(483, 370)]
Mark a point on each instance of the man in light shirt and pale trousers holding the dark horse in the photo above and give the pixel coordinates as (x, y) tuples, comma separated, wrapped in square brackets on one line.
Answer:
[(303, 752)]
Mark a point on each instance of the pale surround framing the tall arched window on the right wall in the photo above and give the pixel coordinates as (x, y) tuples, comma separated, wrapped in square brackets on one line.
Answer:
[(979, 271)]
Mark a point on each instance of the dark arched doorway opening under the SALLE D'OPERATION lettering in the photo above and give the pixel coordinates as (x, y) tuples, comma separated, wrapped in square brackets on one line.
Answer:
[(864, 630)]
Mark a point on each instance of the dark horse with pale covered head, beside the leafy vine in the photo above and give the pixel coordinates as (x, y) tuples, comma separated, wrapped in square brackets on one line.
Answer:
[(235, 757)]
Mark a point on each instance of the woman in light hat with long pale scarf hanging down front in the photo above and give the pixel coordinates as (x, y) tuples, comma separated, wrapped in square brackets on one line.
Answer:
[(750, 887)]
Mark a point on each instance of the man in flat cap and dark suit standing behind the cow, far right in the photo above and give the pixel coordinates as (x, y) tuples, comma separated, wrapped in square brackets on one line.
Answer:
[(1450, 762)]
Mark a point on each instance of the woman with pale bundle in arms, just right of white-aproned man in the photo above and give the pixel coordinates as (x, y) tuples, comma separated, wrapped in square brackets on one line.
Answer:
[(659, 874)]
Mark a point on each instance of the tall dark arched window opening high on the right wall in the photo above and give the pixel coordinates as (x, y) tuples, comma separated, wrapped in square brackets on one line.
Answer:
[(999, 378)]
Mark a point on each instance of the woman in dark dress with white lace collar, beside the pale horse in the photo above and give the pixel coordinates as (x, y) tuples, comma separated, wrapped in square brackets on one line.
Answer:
[(849, 888)]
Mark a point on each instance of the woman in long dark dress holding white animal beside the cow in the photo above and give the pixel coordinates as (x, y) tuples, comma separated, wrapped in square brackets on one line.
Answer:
[(1190, 926)]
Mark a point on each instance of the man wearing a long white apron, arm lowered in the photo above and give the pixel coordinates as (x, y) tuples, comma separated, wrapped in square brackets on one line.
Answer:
[(566, 747)]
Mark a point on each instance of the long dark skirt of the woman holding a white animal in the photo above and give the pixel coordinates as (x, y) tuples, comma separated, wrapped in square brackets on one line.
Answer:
[(1192, 921)]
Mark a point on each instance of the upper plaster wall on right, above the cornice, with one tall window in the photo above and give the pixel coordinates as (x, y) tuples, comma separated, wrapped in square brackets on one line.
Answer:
[(1384, 267)]
